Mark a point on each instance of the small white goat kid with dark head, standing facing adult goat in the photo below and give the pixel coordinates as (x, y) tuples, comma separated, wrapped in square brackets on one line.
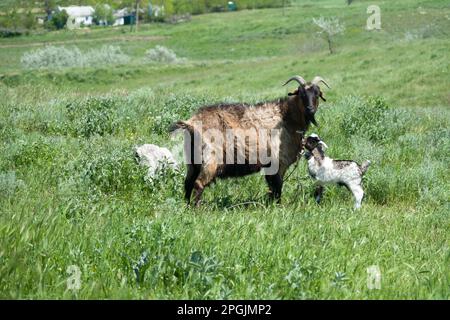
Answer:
[(327, 171)]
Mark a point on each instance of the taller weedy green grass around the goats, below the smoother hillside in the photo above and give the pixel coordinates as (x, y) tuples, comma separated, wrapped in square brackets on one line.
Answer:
[(72, 194)]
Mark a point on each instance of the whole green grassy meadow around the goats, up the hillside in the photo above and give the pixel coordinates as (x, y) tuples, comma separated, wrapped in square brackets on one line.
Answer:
[(71, 193)]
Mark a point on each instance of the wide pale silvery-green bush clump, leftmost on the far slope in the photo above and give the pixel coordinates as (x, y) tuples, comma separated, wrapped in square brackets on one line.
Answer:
[(52, 57)]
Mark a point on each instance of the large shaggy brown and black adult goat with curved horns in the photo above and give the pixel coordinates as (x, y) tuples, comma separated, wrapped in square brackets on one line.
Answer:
[(242, 134)]
